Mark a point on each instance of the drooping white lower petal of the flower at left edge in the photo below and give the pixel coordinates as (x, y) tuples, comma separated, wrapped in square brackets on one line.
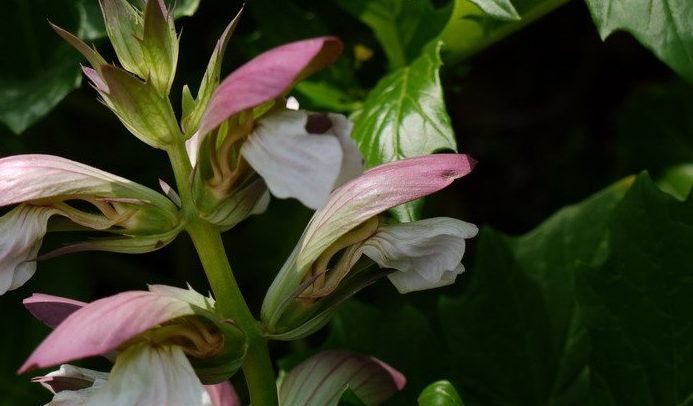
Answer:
[(22, 230)]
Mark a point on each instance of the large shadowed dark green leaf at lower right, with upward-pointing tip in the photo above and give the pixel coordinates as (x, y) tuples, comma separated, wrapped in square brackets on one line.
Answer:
[(520, 312)]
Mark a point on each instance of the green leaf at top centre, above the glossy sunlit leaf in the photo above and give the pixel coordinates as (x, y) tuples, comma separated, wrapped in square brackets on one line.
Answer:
[(402, 27)]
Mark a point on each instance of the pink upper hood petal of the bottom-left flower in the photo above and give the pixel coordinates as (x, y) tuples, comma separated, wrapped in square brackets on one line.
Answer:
[(104, 325)]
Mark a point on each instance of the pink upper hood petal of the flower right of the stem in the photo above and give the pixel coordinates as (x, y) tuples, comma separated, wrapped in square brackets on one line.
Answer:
[(377, 190)]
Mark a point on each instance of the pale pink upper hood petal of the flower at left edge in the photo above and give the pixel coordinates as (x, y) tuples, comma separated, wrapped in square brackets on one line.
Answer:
[(32, 177)]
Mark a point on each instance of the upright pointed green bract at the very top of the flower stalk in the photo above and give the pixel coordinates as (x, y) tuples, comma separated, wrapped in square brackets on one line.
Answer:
[(159, 47)]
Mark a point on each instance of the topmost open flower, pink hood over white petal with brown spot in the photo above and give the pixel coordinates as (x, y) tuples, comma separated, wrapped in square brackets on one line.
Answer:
[(246, 130)]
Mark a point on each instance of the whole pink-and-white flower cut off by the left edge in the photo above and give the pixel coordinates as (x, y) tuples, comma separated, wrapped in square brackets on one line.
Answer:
[(45, 186)]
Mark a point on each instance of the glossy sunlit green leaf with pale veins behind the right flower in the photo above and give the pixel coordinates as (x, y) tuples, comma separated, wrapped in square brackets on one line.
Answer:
[(405, 116)]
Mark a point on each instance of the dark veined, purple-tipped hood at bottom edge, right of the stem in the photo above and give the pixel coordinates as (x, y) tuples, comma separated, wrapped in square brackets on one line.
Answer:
[(322, 379)]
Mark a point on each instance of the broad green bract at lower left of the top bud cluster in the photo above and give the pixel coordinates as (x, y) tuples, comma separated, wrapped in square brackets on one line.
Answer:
[(141, 108)]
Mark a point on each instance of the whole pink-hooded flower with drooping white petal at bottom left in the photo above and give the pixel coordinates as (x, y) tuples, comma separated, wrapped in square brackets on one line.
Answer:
[(171, 336)]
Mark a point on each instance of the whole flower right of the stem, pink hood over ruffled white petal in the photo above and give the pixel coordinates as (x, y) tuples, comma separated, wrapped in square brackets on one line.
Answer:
[(423, 254)]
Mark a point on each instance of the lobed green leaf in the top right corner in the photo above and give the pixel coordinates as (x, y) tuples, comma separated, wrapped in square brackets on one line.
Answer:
[(663, 26)]
